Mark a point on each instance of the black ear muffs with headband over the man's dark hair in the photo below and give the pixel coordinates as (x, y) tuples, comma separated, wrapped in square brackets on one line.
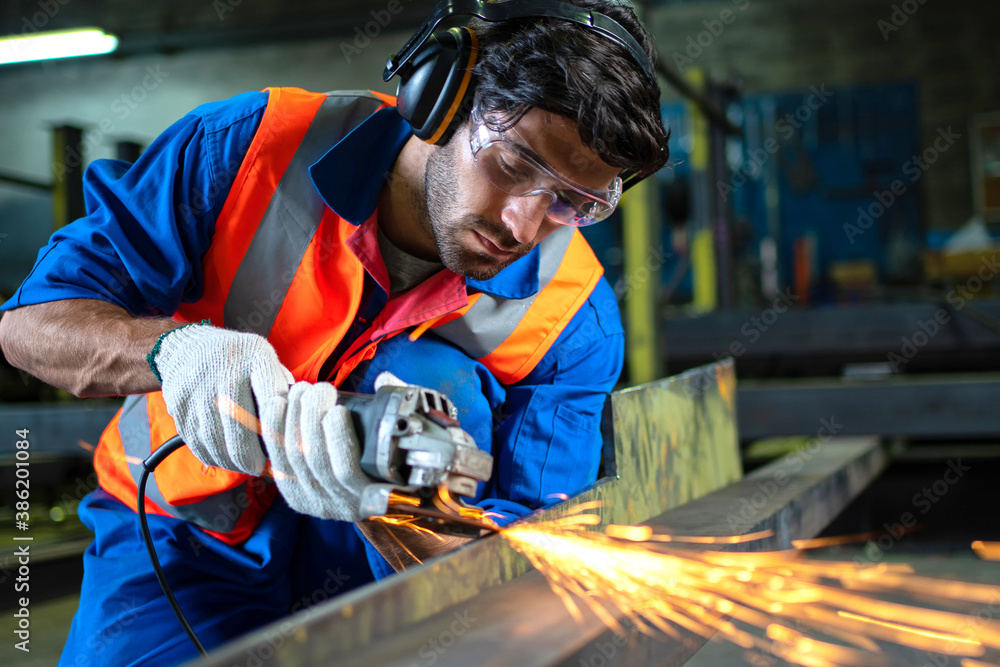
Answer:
[(435, 66)]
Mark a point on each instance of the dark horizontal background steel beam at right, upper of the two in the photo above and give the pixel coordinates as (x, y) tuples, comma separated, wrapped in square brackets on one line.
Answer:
[(936, 336)]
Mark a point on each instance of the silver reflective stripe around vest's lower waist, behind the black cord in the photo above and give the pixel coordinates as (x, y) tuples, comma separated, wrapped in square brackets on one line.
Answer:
[(219, 512)]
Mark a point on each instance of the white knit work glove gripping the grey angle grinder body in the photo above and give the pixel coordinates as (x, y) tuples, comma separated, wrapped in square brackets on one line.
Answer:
[(314, 452)]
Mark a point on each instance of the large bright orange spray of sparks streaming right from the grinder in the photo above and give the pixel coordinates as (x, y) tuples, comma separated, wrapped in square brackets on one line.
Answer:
[(811, 612)]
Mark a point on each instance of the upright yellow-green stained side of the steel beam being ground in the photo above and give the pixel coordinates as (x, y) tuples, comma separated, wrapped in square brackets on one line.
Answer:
[(674, 440)]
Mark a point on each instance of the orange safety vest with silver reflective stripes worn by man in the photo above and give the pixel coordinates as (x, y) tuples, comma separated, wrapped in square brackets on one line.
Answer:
[(280, 265)]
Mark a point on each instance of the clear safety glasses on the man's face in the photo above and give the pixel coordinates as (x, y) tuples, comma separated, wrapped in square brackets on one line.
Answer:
[(512, 167)]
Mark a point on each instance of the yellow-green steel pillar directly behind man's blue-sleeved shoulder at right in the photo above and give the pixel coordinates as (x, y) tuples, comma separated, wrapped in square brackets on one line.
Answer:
[(643, 262)]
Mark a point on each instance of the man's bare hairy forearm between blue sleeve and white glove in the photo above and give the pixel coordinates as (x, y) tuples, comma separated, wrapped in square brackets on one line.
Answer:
[(87, 347)]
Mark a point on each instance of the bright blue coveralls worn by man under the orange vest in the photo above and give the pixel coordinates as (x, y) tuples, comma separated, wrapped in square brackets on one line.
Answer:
[(140, 247)]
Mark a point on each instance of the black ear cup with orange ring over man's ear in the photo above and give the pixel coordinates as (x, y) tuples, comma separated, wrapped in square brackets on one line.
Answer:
[(435, 83)]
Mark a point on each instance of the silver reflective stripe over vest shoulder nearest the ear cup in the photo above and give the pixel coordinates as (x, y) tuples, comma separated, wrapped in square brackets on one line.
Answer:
[(292, 217)]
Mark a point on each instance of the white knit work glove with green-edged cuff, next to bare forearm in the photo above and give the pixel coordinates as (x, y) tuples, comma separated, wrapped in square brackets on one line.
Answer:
[(213, 380)]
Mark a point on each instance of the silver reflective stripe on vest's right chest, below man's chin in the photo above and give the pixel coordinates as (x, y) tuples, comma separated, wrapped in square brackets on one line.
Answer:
[(491, 320)]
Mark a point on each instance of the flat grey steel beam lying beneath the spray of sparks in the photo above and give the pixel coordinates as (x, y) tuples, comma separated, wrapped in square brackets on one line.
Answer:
[(523, 624)]
